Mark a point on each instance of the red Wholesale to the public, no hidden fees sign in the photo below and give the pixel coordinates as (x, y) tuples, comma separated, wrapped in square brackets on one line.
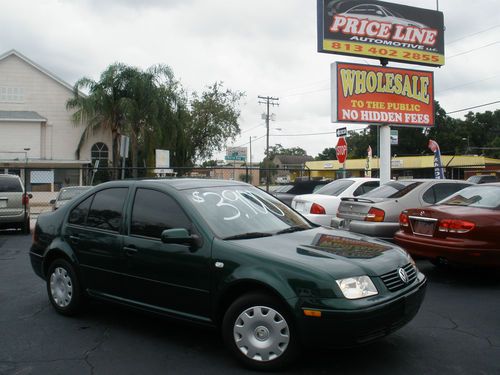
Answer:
[(379, 95)]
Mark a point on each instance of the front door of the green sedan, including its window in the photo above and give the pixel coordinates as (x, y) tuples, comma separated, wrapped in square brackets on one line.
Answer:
[(174, 277)]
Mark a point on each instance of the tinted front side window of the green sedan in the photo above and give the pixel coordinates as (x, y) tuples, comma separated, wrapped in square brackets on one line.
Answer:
[(153, 212)]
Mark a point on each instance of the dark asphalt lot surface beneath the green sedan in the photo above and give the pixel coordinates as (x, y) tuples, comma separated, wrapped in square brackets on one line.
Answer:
[(457, 331)]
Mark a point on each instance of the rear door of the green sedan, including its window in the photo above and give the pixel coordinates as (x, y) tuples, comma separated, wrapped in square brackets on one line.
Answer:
[(94, 233)]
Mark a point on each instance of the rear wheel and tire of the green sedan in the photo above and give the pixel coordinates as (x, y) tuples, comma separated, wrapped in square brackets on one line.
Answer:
[(63, 287)]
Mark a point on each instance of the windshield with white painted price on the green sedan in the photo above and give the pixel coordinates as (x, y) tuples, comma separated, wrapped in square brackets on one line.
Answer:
[(232, 211)]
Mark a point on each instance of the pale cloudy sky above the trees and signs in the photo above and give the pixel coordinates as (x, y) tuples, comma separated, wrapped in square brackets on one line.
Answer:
[(260, 47)]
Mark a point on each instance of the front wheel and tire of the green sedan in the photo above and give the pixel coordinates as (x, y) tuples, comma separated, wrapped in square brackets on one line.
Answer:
[(259, 332)]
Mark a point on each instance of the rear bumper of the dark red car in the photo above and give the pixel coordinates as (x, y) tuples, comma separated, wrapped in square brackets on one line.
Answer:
[(466, 252)]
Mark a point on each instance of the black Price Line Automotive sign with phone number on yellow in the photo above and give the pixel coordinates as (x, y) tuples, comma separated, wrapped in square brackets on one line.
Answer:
[(379, 30)]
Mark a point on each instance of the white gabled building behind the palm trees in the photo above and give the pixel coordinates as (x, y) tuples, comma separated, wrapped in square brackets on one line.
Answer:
[(36, 128)]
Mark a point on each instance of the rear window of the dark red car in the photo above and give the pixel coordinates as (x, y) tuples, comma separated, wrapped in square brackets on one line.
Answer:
[(475, 196)]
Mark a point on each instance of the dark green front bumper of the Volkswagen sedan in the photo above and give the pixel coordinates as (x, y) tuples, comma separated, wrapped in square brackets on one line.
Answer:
[(342, 328)]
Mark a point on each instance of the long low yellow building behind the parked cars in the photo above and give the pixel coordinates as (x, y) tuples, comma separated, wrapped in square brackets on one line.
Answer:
[(455, 167)]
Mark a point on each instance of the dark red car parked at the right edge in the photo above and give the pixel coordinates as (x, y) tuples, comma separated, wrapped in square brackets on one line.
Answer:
[(464, 228)]
